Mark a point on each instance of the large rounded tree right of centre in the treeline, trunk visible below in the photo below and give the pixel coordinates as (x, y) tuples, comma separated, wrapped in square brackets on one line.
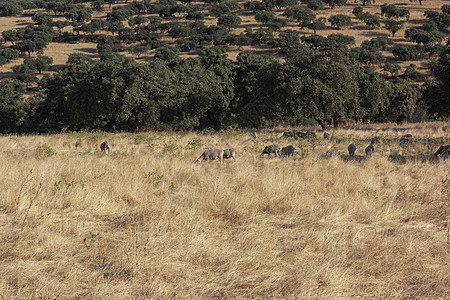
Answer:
[(320, 89)]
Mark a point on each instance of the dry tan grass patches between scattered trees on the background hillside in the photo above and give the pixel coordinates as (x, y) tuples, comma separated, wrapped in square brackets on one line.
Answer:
[(60, 51)]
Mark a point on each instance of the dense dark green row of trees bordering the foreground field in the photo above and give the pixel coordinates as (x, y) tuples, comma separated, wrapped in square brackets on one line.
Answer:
[(117, 93)]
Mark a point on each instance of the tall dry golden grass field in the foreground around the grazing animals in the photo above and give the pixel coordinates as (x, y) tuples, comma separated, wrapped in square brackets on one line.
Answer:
[(146, 222)]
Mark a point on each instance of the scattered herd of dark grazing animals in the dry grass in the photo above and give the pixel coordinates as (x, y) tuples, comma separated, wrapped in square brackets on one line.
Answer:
[(221, 154)]
